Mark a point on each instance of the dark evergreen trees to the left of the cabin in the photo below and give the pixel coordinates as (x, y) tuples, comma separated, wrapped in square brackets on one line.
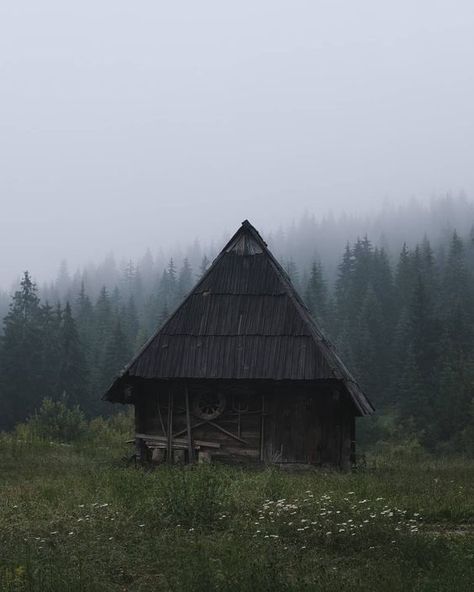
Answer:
[(73, 351)]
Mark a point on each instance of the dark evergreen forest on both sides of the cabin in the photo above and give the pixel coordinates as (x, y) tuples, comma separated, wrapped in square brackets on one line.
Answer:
[(405, 328)]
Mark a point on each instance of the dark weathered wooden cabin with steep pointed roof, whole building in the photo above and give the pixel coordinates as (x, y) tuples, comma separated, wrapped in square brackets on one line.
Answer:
[(241, 373)]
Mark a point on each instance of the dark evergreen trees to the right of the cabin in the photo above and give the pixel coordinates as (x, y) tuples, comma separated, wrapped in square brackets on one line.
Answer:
[(407, 333)]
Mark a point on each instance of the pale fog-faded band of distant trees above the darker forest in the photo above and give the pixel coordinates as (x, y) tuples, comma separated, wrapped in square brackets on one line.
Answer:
[(304, 240)]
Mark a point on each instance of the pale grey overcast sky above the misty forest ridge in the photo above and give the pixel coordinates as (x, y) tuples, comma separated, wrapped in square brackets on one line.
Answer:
[(132, 124)]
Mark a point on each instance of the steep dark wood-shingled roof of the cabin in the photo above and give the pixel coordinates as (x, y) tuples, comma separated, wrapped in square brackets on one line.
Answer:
[(243, 320)]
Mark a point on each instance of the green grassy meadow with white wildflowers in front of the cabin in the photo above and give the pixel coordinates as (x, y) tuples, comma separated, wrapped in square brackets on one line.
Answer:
[(79, 519)]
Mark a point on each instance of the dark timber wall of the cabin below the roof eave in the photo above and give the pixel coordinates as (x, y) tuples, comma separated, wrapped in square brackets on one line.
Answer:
[(271, 423)]
